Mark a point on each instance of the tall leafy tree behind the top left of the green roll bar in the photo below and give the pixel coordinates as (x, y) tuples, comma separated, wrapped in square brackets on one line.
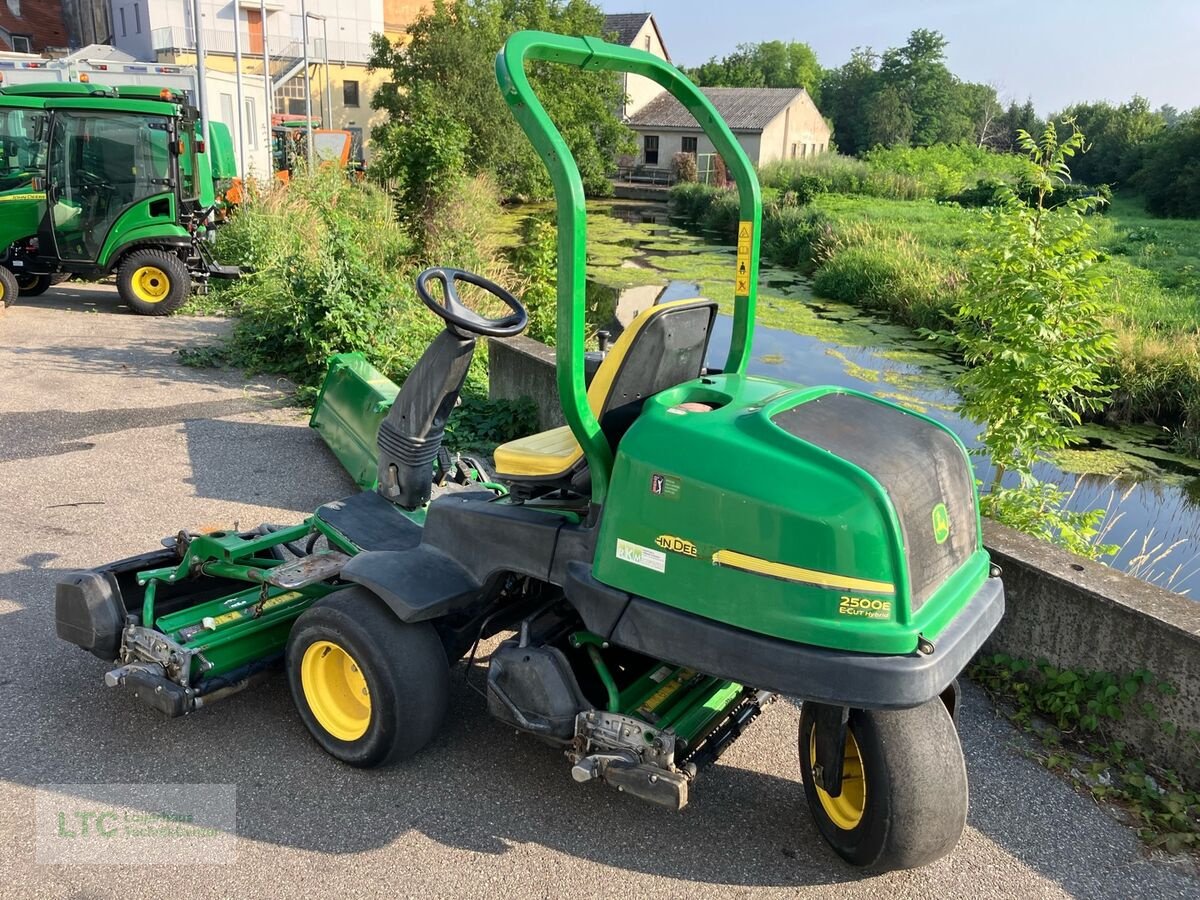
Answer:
[(443, 88)]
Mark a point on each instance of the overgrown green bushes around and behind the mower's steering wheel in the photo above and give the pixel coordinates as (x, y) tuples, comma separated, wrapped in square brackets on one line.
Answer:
[(334, 272)]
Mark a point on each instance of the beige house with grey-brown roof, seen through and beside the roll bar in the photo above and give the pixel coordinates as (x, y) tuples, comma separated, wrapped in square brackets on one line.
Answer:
[(770, 123)]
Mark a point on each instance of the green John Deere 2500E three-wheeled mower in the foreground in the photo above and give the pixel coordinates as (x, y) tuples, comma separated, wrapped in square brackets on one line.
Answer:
[(691, 545)]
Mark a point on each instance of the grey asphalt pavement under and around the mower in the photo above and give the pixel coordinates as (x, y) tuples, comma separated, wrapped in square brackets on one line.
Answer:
[(107, 445)]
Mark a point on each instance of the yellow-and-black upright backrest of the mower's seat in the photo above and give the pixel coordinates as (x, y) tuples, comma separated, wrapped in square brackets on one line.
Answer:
[(663, 347)]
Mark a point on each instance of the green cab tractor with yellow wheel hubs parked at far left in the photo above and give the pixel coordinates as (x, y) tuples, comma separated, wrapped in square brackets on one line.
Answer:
[(110, 181)]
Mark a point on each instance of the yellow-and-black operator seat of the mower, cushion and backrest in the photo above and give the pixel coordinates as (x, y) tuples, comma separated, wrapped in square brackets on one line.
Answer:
[(663, 347)]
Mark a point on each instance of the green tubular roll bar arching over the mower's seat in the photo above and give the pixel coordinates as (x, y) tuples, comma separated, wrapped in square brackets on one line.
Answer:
[(591, 53)]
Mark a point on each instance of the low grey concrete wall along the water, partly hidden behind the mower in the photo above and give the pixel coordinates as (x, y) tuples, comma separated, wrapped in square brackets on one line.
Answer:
[(1070, 611)]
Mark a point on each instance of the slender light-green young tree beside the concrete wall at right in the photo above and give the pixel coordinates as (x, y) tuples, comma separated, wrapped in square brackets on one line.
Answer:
[(1031, 328)]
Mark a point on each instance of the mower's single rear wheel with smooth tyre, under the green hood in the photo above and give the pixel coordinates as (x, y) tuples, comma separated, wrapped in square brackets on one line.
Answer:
[(904, 796)]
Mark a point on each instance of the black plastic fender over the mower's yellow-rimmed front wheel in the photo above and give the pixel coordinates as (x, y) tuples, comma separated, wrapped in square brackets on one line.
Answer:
[(418, 585)]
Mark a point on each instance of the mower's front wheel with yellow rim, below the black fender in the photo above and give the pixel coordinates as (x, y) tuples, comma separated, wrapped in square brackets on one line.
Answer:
[(370, 688)]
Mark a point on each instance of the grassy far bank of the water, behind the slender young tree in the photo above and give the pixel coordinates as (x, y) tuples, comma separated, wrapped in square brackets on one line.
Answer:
[(903, 259)]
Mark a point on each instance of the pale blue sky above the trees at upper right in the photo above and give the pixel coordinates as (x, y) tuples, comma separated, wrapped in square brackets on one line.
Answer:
[(1057, 53)]
